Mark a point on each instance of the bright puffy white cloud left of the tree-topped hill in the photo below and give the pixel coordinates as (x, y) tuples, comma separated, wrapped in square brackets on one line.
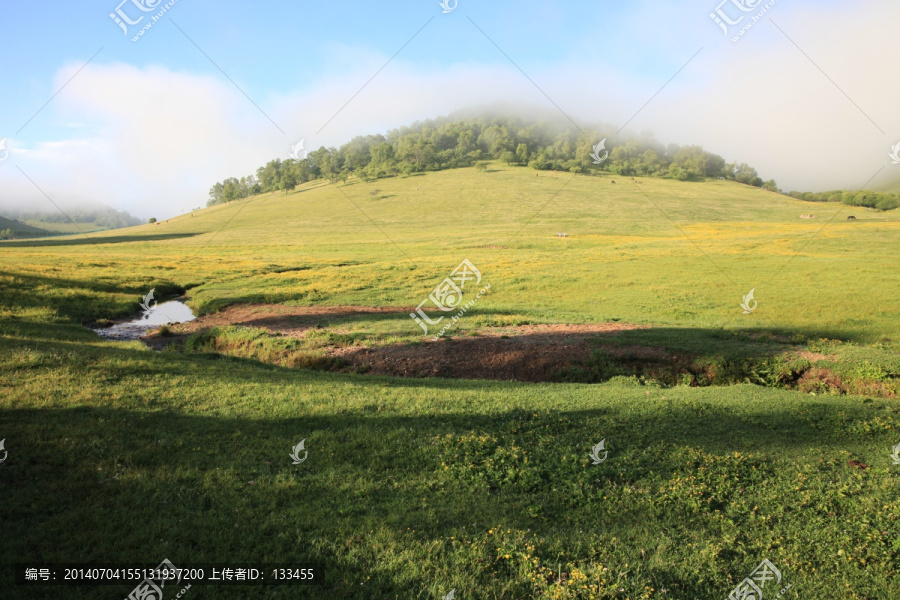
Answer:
[(158, 140)]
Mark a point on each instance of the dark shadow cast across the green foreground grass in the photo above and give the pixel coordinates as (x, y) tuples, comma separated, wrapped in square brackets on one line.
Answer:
[(116, 485)]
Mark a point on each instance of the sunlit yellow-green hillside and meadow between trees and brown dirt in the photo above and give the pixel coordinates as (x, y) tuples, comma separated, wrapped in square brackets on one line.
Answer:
[(662, 252)]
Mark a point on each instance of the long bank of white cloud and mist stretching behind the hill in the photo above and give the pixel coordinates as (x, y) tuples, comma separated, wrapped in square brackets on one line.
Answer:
[(154, 140)]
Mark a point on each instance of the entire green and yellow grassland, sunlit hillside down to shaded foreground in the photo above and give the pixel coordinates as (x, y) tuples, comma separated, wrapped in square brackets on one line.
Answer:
[(417, 486)]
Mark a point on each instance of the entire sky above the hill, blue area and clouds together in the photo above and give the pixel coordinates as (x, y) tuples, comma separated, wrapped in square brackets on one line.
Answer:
[(148, 126)]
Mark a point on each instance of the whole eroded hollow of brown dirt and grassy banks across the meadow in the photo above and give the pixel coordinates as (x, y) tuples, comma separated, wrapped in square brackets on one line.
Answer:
[(384, 341)]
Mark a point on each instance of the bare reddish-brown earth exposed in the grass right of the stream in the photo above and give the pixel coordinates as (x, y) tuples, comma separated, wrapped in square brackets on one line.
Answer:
[(533, 353)]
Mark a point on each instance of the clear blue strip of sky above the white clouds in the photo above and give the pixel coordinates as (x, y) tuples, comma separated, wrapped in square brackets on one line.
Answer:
[(285, 46)]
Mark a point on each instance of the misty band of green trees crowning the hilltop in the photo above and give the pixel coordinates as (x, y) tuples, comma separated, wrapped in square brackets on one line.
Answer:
[(447, 143)]
